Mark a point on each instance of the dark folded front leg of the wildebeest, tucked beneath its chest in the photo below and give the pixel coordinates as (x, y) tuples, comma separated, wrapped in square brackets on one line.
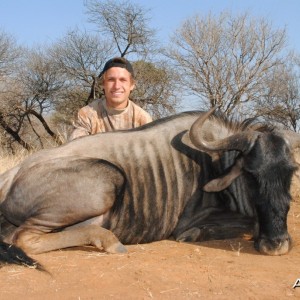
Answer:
[(218, 225)]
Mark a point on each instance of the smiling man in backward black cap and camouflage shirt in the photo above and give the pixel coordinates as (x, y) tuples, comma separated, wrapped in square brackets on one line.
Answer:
[(115, 111)]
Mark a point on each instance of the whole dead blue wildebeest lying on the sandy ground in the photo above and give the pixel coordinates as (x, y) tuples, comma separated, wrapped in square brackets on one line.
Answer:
[(192, 177)]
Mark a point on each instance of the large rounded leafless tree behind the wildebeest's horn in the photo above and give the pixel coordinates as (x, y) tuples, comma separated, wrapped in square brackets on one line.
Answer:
[(226, 60)]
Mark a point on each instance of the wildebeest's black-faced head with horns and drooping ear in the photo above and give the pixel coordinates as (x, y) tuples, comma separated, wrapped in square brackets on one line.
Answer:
[(266, 162)]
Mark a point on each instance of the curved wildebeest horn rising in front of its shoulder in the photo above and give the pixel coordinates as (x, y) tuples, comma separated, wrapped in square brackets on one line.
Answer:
[(210, 135)]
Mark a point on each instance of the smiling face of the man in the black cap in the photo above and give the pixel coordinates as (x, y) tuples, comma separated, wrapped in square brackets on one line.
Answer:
[(117, 85)]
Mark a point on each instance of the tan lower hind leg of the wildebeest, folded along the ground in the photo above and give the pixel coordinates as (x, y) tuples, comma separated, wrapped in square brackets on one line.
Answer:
[(34, 242)]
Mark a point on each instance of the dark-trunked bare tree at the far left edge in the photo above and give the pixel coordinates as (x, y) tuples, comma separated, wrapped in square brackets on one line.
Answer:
[(28, 98)]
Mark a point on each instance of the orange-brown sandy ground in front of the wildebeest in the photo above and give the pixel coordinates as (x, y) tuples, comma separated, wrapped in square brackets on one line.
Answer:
[(229, 269)]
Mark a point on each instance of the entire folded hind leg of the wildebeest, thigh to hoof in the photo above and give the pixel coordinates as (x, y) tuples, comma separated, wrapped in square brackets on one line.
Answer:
[(47, 213)]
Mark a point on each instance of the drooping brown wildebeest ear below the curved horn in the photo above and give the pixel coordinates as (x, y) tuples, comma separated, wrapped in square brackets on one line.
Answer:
[(222, 182)]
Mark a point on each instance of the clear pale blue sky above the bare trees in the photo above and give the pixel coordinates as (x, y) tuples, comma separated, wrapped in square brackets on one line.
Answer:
[(39, 22)]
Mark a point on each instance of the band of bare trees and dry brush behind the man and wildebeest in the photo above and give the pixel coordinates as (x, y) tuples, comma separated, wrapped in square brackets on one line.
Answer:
[(238, 62)]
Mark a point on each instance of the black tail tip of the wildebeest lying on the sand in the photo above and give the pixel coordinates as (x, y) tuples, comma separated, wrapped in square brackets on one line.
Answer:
[(10, 254)]
